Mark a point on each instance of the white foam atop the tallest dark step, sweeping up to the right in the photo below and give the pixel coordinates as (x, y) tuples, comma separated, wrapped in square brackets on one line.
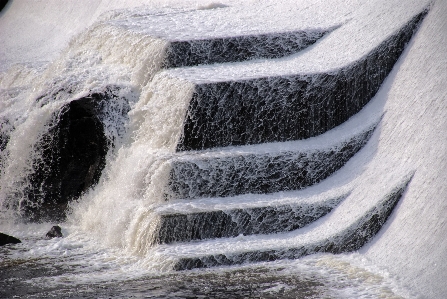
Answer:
[(367, 27)]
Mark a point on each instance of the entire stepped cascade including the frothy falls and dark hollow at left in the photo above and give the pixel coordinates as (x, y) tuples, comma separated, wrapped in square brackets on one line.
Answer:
[(188, 144)]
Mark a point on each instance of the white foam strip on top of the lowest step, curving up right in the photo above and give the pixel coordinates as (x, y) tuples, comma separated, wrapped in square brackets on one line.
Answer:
[(347, 213)]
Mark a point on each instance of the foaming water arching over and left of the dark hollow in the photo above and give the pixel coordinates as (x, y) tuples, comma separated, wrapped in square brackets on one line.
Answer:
[(33, 96)]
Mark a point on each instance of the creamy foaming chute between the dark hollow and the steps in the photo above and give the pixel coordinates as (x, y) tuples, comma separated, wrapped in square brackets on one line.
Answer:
[(135, 179)]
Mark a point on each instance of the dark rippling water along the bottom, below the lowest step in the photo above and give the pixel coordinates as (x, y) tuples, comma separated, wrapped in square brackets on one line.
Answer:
[(255, 282)]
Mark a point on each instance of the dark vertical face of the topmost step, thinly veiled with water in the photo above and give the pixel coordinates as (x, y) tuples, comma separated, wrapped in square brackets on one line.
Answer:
[(239, 48)]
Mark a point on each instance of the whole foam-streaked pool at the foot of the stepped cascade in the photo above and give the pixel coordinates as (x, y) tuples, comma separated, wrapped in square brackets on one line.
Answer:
[(75, 267)]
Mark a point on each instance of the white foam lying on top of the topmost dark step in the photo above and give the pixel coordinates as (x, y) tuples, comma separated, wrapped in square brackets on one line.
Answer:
[(237, 20)]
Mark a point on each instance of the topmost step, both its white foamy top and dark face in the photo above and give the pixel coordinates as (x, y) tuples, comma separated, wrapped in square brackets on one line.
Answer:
[(236, 34)]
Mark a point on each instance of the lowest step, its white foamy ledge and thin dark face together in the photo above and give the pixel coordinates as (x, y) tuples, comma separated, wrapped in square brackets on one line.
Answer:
[(343, 239)]
